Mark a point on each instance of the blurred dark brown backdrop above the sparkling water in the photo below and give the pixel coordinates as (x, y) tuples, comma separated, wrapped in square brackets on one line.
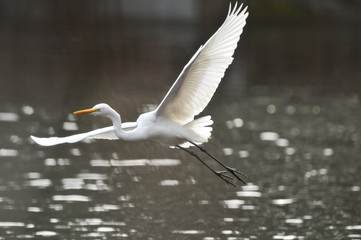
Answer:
[(49, 48)]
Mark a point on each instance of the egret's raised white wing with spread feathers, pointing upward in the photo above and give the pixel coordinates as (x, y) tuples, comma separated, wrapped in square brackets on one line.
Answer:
[(200, 78)]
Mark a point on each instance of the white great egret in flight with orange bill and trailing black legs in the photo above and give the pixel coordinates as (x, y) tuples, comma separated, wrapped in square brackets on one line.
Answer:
[(172, 123)]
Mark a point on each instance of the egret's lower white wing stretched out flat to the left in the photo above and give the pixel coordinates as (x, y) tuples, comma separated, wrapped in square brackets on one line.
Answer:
[(101, 133)]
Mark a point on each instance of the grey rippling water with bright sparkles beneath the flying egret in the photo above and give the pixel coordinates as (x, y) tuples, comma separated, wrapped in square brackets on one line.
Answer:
[(302, 165)]
